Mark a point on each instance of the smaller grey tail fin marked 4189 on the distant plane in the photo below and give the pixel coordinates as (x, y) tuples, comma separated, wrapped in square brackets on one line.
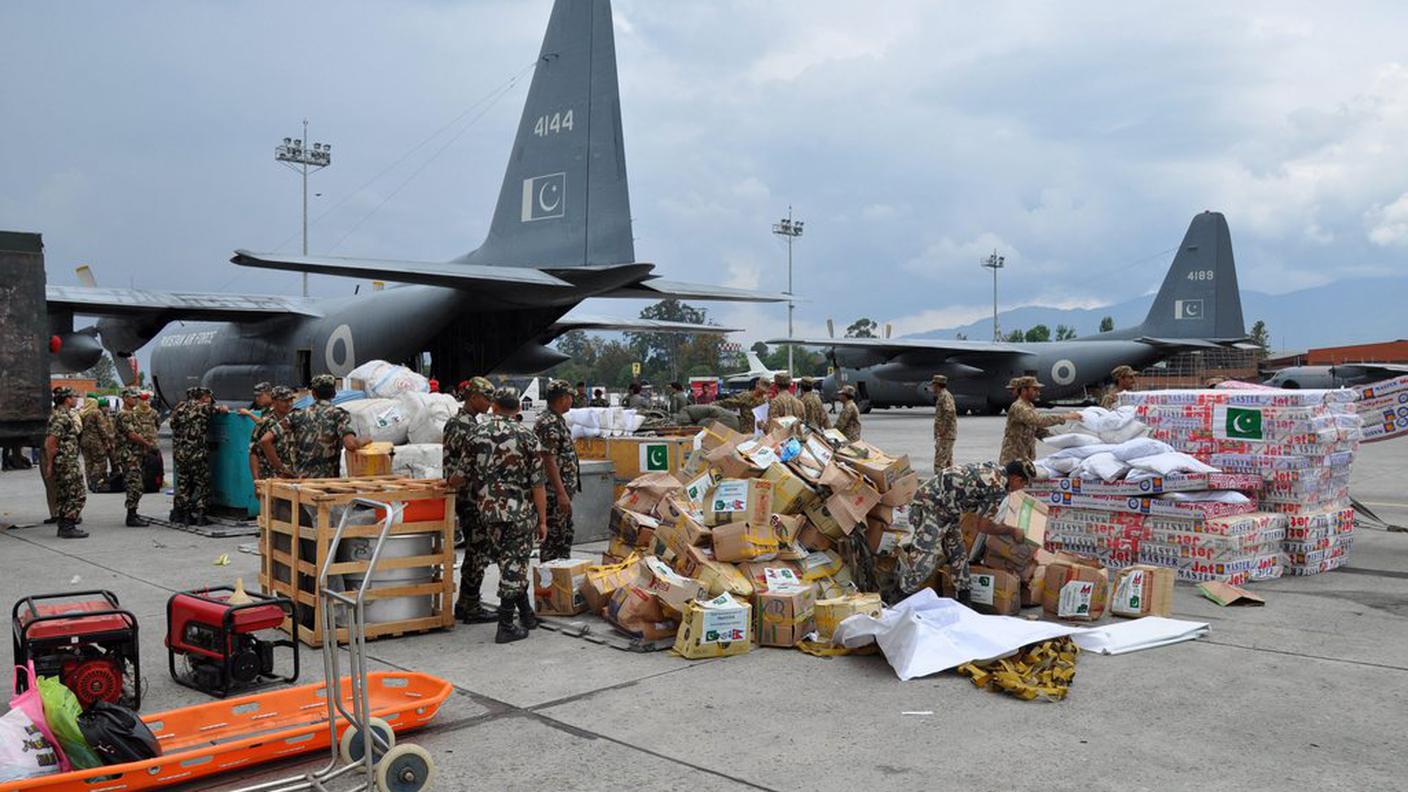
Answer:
[(1200, 297)]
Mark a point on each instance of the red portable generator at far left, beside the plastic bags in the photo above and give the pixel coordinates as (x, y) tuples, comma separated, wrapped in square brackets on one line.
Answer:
[(87, 641)]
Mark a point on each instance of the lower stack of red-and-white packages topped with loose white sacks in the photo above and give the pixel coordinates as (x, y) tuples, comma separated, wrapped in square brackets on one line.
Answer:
[(1124, 498)]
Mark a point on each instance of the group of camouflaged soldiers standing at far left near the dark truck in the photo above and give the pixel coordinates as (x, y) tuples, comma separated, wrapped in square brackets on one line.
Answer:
[(127, 440)]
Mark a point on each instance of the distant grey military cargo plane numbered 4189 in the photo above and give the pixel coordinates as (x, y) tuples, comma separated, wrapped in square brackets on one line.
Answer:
[(1198, 308)]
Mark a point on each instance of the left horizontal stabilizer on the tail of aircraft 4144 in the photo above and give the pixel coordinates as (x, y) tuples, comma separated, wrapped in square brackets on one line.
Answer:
[(454, 276)]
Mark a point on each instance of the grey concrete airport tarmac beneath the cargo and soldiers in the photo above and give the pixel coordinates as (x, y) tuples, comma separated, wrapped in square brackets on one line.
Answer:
[(1309, 691)]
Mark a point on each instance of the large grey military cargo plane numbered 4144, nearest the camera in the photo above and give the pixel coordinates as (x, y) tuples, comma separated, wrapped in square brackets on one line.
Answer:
[(561, 233)]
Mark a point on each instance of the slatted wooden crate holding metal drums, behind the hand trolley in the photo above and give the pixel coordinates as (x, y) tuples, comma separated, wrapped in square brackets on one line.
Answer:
[(294, 550)]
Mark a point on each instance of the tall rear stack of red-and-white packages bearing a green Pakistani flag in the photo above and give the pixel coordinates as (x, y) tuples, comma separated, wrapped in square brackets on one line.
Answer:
[(1300, 443)]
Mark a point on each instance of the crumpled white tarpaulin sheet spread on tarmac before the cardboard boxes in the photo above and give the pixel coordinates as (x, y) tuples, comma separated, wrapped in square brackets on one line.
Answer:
[(927, 635)]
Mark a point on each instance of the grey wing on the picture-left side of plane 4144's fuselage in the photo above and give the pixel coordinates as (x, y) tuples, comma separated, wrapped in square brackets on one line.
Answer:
[(172, 305)]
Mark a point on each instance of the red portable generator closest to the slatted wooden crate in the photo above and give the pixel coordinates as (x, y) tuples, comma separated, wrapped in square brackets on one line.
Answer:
[(220, 645)]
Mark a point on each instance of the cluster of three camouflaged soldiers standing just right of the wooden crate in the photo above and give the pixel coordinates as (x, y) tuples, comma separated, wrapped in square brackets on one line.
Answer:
[(517, 485)]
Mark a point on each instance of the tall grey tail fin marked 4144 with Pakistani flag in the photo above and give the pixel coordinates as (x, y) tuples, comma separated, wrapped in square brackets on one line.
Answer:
[(564, 201)]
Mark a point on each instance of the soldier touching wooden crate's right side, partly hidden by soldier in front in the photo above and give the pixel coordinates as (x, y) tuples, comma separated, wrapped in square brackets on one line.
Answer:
[(455, 463)]
